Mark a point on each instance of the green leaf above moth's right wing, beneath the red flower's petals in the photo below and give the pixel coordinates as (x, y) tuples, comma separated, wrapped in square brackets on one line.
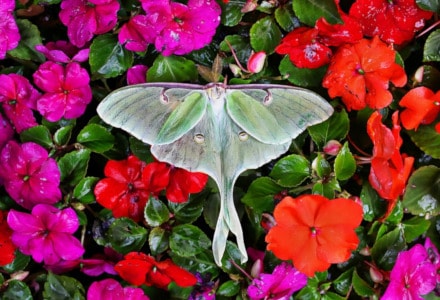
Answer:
[(304, 77)]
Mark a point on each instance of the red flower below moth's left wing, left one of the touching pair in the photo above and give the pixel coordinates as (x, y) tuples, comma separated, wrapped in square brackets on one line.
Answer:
[(123, 191)]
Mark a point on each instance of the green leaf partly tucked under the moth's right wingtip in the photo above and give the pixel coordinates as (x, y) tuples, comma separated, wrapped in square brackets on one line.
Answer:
[(334, 128)]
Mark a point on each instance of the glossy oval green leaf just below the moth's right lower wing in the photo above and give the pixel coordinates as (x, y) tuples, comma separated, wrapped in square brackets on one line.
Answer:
[(291, 170)]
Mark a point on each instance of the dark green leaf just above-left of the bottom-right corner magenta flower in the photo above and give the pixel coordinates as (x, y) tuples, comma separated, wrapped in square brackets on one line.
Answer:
[(387, 247)]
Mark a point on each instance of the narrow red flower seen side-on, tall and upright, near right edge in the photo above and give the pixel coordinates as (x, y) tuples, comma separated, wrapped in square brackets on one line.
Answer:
[(389, 169)]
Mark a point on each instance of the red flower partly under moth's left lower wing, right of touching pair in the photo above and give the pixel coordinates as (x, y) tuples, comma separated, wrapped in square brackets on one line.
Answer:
[(178, 182)]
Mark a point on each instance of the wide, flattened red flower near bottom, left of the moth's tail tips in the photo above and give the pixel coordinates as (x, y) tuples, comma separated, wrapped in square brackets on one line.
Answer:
[(138, 268)]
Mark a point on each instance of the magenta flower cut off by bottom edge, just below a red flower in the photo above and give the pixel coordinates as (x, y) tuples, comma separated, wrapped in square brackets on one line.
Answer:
[(111, 289)]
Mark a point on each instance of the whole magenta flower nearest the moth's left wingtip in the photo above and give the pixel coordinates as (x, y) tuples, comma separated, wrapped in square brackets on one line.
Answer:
[(67, 90)]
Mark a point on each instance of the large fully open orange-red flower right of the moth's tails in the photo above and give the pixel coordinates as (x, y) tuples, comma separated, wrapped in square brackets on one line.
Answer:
[(314, 232)]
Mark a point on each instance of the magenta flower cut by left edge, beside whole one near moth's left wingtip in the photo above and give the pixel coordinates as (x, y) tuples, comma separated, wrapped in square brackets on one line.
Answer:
[(18, 98)]
